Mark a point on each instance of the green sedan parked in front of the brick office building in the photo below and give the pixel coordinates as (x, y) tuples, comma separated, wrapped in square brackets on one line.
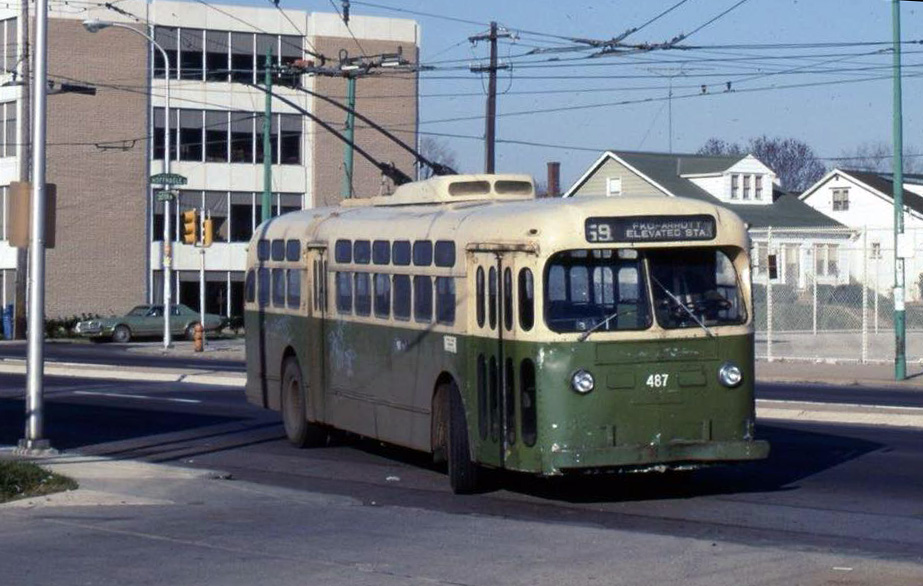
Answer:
[(147, 320)]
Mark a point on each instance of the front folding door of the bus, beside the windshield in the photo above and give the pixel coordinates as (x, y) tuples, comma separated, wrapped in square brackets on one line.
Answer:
[(491, 401)]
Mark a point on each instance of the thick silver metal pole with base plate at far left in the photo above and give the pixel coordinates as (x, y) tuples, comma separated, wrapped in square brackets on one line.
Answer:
[(34, 440)]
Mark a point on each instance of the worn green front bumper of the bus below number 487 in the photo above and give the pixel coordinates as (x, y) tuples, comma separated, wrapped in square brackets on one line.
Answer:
[(654, 455)]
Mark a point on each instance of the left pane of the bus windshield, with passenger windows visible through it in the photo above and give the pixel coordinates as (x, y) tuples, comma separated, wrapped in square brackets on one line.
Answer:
[(598, 290)]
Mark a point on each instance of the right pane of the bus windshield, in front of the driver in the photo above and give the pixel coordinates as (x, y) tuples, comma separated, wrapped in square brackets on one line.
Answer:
[(695, 287)]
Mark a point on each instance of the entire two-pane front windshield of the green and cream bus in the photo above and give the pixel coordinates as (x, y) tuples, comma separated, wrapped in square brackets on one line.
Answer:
[(607, 290)]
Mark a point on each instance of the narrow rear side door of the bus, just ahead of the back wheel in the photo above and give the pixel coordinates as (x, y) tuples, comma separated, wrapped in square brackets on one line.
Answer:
[(315, 353)]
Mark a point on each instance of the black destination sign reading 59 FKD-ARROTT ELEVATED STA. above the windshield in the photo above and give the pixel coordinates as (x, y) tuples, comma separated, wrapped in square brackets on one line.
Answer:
[(649, 228)]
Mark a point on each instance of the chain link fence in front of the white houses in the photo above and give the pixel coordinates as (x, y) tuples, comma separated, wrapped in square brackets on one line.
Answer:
[(827, 294)]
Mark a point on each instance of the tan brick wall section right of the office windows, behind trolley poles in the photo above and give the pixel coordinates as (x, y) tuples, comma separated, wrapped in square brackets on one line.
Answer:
[(388, 99)]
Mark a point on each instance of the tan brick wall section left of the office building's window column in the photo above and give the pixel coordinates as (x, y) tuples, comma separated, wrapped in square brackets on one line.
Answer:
[(99, 263)]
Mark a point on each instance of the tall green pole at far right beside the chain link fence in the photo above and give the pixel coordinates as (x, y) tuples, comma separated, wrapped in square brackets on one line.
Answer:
[(897, 187)]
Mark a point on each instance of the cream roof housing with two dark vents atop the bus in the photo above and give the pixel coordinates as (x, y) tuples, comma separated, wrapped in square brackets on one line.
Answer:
[(458, 188)]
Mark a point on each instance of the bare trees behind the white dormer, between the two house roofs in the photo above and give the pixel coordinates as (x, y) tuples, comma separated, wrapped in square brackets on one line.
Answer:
[(795, 163)]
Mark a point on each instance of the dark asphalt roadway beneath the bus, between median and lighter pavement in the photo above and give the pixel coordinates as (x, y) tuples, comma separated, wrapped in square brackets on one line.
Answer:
[(848, 490)]
